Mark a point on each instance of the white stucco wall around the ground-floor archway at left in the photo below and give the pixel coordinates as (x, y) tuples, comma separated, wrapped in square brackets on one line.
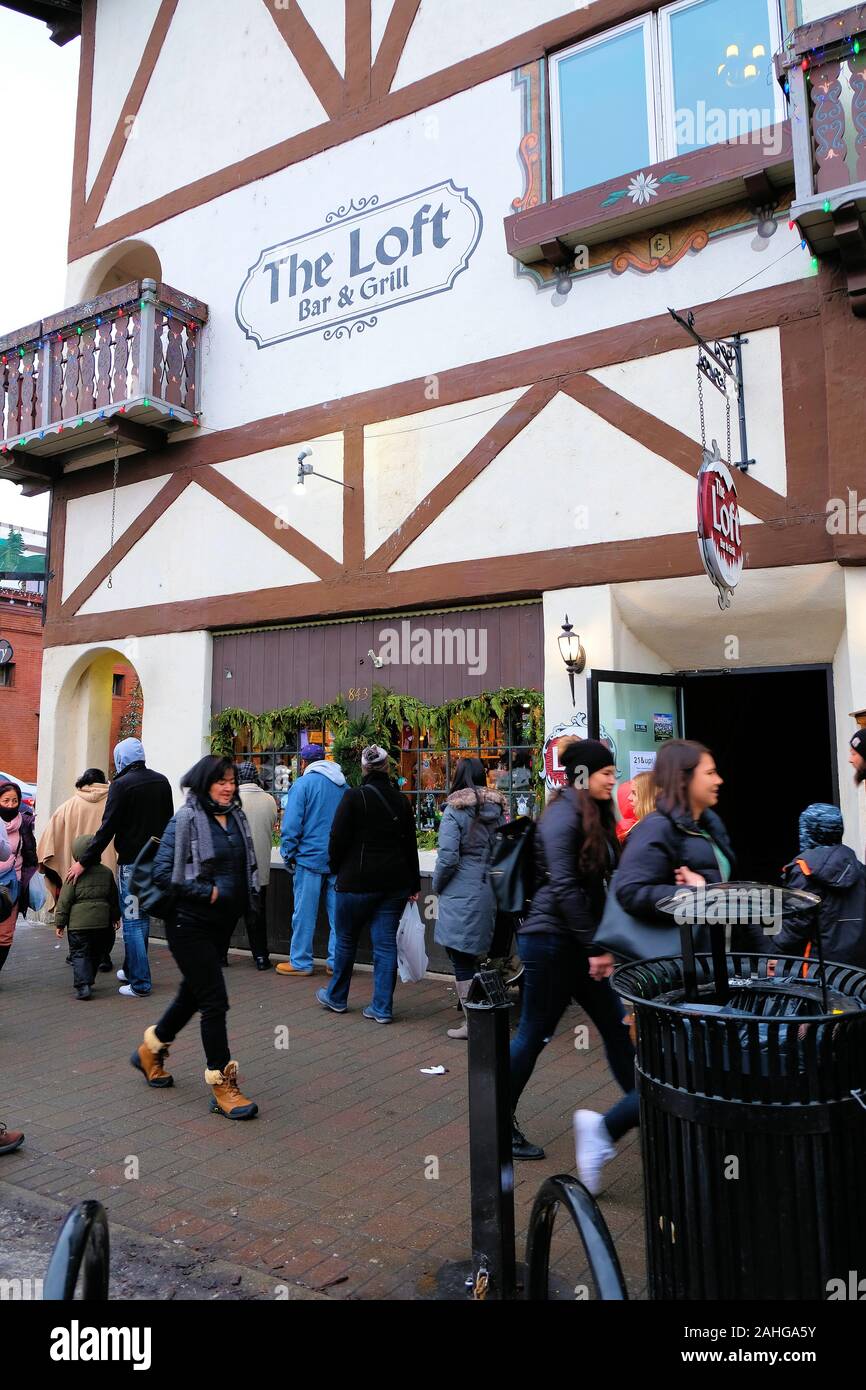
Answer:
[(174, 671)]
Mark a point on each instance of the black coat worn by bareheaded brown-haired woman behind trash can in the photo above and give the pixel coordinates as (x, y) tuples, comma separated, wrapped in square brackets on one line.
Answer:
[(661, 844)]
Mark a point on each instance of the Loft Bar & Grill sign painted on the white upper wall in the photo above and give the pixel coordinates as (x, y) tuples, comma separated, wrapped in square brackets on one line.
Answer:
[(366, 259)]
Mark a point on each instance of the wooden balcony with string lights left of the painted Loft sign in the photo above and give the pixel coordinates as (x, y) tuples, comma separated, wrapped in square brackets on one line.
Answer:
[(113, 376)]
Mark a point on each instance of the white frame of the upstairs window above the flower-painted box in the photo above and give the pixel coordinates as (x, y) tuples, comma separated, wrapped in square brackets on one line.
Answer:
[(661, 101)]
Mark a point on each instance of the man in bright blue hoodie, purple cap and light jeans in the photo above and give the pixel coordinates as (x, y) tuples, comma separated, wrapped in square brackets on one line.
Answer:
[(307, 829)]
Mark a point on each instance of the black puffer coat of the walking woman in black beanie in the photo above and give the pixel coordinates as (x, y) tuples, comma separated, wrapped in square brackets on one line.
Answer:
[(568, 901)]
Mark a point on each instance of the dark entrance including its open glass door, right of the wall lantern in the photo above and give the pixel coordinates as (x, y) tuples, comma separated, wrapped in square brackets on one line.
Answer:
[(772, 733)]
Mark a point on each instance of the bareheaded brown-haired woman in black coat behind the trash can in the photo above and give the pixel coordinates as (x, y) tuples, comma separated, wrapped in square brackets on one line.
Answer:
[(683, 842)]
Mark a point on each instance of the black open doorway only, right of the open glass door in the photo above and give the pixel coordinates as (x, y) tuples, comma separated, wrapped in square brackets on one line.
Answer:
[(772, 735)]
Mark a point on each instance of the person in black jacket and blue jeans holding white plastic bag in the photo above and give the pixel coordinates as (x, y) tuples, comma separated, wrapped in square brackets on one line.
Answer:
[(375, 853)]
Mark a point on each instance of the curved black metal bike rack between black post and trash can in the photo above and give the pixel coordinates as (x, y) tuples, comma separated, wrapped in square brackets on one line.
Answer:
[(593, 1229)]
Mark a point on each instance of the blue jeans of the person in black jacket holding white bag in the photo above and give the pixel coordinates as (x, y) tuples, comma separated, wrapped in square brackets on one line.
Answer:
[(382, 913)]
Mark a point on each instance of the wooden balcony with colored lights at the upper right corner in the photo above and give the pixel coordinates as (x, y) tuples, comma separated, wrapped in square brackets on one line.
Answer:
[(824, 70)]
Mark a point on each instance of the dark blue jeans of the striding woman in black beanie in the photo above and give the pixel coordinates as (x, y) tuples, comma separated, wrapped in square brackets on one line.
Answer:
[(557, 972)]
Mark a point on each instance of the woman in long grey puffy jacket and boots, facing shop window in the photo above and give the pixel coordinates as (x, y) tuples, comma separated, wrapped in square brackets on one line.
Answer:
[(468, 907)]
